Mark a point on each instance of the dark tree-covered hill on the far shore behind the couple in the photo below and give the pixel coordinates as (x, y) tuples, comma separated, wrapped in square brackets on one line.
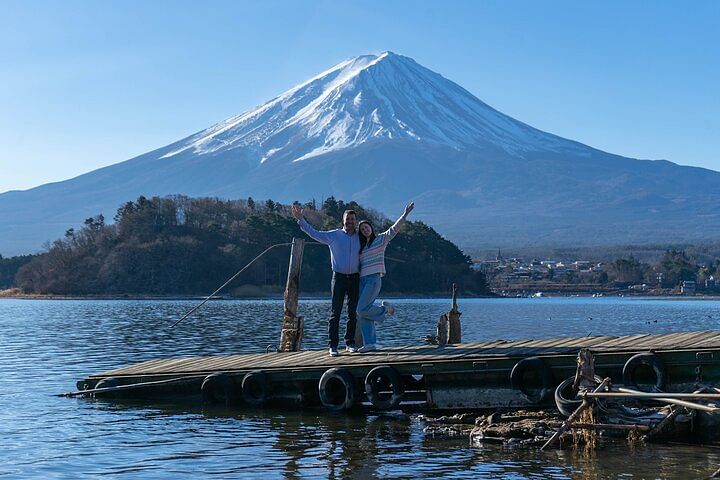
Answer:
[(179, 245)]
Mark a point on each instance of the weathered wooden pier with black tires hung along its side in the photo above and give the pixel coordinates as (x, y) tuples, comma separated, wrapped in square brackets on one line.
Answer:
[(522, 373)]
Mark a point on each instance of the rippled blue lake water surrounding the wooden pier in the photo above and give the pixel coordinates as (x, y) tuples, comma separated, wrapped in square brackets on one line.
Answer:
[(45, 346)]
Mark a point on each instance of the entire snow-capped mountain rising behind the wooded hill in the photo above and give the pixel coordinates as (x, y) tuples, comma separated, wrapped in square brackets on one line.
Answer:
[(382, 130)]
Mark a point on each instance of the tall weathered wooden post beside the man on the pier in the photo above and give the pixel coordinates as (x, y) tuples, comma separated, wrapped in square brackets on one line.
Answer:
[(292, 328)]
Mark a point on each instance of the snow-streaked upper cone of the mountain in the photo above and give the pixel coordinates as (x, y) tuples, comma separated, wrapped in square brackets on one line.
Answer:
[(368, 98)]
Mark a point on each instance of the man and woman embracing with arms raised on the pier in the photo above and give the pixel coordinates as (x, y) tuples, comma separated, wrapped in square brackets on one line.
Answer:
[(357, 256)]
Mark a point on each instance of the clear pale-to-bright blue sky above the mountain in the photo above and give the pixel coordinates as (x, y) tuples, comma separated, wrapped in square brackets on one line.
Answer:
[(89, 84)]
